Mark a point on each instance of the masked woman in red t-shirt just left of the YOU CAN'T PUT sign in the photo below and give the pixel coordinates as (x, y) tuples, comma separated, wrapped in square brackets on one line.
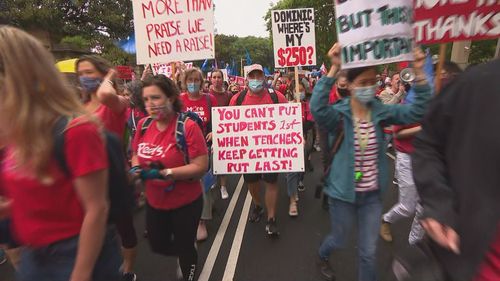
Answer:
[(201, 104)]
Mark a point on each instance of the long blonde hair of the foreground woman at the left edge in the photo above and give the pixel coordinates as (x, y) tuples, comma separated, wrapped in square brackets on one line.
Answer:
[(33, 95)]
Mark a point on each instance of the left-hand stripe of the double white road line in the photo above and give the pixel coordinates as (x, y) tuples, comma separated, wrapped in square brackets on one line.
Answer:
[(214, 250)]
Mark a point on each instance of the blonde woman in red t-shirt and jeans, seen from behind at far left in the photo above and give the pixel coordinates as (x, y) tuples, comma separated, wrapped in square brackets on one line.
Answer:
[(59, 218)]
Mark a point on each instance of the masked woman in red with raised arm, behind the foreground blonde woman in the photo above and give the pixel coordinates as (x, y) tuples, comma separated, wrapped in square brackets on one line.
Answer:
[(97, 80)]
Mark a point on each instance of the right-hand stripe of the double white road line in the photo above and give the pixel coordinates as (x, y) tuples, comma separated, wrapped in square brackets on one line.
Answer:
[(238, 238)]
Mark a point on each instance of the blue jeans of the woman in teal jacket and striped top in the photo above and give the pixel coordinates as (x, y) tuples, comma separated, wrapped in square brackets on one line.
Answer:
[(366, 211)]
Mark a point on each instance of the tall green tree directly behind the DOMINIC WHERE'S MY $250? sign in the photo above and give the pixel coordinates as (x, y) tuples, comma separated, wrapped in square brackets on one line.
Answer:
[(324, 12)]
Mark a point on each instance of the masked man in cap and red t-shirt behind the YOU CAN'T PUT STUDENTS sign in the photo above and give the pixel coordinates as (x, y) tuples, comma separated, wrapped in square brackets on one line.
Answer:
[(258, 94)]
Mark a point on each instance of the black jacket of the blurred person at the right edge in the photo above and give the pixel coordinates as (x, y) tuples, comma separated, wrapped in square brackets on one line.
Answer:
[(456, 166)]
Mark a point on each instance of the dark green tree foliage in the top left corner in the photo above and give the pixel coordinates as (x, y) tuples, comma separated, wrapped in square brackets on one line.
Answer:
[(95, 24)]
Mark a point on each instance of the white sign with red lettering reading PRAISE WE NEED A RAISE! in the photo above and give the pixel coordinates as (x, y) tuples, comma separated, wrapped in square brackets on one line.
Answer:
[(167, 31)]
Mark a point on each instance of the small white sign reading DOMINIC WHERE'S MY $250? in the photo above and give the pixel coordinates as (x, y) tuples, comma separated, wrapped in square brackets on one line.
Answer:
[(294, 37)]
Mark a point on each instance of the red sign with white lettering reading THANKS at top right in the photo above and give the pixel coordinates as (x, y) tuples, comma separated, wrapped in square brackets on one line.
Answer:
[(455, 20)]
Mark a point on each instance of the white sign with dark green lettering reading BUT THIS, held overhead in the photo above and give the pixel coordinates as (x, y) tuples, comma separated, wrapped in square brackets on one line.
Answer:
[(374, 32)]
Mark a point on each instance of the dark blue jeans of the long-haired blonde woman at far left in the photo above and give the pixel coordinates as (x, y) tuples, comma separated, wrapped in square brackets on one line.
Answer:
[(56, 261)]
